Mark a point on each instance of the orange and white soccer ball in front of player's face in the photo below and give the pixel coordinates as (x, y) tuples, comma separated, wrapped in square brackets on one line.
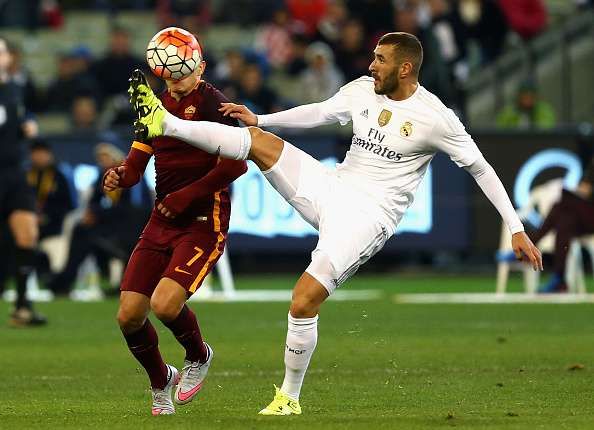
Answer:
[(173, 53)]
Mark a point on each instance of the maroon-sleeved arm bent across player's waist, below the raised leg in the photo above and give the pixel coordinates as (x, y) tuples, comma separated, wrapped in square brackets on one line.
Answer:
[(218, 178)]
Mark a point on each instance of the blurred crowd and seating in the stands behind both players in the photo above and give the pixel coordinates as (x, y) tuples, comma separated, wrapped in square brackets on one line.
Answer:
[(74, 57)]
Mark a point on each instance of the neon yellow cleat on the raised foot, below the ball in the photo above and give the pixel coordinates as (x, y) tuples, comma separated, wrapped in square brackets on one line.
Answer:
[(147, 106)]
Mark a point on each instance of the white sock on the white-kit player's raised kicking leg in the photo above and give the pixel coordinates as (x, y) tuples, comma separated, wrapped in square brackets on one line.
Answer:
[(212, 137)]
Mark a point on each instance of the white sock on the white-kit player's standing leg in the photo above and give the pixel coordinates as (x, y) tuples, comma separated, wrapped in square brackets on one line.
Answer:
[(302, 337)]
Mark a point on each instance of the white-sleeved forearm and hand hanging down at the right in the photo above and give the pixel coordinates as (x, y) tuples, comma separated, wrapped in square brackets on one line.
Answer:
[(491, 185)]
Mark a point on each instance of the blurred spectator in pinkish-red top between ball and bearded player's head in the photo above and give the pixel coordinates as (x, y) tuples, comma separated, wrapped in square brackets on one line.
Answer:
[(274, 39)]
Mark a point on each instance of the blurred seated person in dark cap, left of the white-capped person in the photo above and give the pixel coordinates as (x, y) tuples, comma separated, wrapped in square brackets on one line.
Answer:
[(55, 196)]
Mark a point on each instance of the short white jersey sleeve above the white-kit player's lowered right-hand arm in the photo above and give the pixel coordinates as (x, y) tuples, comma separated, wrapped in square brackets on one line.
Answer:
[(450, 136)]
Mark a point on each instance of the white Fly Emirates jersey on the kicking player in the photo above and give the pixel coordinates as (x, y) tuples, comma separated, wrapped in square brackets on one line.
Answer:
[(394, 141)]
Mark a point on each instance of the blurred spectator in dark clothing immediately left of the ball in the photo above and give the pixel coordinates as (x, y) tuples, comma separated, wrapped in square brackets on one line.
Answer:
[(113, 70)]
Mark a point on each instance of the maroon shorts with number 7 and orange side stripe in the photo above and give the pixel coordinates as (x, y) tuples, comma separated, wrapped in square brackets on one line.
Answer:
[(185, 255)]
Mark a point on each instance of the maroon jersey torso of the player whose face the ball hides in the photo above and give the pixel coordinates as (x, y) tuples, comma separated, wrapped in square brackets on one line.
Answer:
[(178, 164)]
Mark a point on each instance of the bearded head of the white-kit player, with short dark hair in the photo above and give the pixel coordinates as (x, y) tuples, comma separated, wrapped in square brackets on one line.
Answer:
[(397, 57)]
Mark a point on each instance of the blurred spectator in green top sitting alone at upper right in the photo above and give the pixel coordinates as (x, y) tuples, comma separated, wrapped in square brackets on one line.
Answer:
[(528, 111)]
